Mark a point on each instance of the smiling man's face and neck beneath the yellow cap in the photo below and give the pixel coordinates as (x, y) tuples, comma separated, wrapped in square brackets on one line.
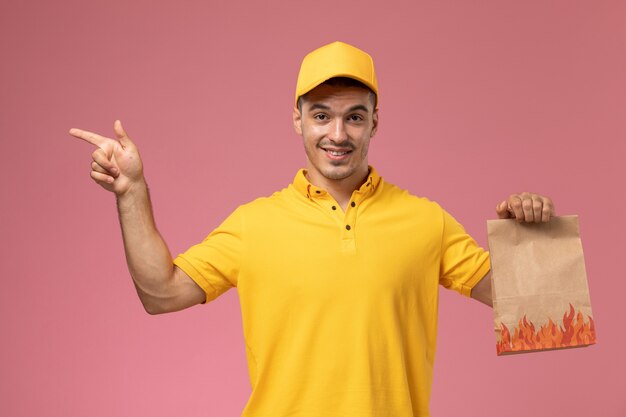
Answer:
[(336, 124)]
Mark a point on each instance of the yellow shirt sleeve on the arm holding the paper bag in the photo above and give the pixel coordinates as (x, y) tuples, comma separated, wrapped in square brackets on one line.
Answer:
[(463, 262)]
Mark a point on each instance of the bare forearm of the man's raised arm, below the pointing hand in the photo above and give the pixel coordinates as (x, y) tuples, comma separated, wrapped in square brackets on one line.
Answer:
[(148, 258)]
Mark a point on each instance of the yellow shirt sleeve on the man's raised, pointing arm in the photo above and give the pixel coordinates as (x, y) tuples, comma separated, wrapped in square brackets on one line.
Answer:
[(215, 262)]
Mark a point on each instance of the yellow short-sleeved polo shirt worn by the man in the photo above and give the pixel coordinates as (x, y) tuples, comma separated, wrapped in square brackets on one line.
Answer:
[(339, 309)]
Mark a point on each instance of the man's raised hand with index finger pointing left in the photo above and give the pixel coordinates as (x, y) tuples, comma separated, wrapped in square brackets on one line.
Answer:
[(116, 164)]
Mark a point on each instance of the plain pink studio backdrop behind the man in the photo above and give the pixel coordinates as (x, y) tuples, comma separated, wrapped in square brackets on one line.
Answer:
[(478, 100)]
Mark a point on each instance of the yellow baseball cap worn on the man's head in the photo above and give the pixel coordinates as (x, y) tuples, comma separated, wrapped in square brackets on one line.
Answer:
[(336, 59)]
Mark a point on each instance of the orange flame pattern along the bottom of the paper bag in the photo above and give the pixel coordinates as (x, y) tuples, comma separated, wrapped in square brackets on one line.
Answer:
[(574, 332)]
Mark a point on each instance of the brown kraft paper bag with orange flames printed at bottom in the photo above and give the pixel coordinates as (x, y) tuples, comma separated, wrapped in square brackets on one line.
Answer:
[(540, 293)]
